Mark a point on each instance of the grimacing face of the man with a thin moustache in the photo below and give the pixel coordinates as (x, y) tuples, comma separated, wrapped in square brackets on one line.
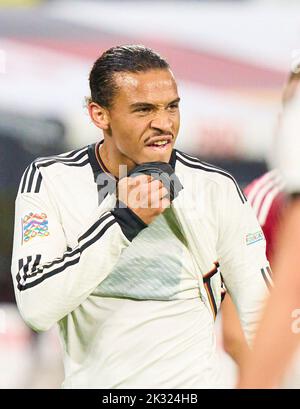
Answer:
[(144, 117)]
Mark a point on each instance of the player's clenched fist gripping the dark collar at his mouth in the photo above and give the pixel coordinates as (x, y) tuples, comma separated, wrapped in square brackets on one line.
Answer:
[(145, 196)]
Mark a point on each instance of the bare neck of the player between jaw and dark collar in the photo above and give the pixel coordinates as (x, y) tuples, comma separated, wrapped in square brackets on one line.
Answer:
[(112, 158)]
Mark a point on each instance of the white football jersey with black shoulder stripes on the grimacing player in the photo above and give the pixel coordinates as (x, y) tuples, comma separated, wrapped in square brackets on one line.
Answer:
[(135, 304)]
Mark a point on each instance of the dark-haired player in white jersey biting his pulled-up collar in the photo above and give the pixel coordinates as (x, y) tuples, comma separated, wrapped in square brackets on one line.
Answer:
[(128, 266)]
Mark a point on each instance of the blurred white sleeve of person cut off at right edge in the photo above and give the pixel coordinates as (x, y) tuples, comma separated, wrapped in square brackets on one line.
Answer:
[(287, 154)]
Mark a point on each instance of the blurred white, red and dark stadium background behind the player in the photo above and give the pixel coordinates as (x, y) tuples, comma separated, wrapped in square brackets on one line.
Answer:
[(230, 59)]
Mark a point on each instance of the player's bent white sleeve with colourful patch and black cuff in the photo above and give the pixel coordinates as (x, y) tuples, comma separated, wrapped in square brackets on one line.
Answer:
[(51, 280)]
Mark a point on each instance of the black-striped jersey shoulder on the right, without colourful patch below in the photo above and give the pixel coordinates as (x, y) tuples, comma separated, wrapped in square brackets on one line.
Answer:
[(208, 172)]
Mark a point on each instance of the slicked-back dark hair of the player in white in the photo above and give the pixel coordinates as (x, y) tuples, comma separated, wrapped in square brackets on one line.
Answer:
[(125, 58)]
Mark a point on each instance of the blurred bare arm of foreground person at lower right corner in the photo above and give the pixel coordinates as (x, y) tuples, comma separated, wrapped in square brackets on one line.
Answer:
[(279, 331)]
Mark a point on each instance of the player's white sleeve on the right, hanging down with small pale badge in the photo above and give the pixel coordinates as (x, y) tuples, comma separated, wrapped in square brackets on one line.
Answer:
[(243, 264)]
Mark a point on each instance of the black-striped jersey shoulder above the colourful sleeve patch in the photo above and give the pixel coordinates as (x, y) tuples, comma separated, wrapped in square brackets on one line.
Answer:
[(33, 174)]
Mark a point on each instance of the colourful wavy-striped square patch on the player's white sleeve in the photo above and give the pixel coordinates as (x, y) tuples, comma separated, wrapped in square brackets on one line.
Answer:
[(34, 225)]
